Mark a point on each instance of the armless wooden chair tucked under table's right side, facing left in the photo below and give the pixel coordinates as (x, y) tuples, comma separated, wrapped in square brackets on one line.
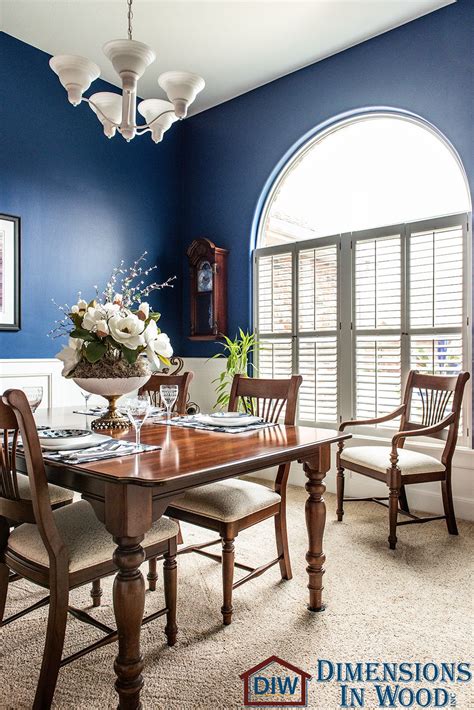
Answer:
[(228, 507)]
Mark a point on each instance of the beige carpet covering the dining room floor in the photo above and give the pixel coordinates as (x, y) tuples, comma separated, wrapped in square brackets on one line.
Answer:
[(414, 604)]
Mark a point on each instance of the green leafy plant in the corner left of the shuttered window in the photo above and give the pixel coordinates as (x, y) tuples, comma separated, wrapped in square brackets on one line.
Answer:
[(238, 352)]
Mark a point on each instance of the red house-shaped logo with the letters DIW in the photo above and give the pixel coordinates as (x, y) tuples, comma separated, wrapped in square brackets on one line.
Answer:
[(274, 682)]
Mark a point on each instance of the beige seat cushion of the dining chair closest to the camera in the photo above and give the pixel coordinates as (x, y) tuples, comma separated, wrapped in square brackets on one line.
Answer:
[(87, 540)]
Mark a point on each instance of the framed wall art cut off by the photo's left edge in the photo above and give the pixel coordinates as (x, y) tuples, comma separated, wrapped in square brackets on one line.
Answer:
[(9, 272)]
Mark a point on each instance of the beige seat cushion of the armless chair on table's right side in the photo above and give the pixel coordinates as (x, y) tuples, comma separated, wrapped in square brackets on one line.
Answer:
[(227, 500)]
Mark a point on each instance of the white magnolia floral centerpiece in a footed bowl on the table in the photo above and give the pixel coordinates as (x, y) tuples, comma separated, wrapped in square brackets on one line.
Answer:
[(114, 343)]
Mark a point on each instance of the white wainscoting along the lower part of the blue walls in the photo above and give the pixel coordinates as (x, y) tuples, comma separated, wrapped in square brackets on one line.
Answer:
[(59, 392)]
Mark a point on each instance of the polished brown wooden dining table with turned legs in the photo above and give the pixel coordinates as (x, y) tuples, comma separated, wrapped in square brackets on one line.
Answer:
[(131, 492)]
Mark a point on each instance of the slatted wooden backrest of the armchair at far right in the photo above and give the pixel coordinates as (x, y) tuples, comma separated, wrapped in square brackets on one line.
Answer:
[(428, 400)]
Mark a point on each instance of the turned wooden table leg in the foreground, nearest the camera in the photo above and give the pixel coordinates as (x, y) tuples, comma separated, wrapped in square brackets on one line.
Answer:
[(129, 604)]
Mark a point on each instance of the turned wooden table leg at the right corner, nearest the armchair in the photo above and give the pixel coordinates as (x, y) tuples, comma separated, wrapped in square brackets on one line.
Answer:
[(315, 470)]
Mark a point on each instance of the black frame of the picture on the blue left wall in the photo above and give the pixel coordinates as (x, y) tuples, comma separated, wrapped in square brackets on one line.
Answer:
[(12, 323)]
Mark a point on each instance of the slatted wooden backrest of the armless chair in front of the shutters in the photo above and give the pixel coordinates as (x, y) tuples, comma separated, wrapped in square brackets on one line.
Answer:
[(266, 398)]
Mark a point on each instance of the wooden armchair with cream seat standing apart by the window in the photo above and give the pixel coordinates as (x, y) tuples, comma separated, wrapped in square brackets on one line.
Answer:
[(431, 407)]
